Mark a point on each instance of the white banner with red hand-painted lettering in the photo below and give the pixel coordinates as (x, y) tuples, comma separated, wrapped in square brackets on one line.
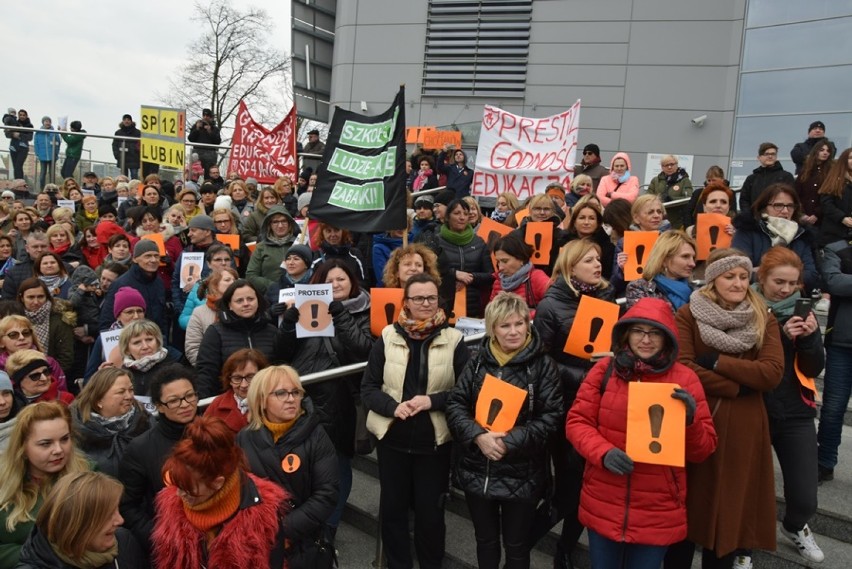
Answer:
[(523, 155)]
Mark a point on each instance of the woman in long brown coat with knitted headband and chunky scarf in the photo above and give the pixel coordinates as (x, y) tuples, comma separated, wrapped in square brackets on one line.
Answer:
[(732, 342)]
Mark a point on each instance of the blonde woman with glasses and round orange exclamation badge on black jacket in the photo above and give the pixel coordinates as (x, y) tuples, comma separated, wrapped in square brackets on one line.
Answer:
[(285, 443)]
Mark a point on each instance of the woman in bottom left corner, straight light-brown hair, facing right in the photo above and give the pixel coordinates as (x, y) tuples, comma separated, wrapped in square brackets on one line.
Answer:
[(78, 526)]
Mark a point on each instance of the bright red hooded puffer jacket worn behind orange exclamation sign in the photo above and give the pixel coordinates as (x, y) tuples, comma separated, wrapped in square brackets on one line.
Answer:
[(647, 506)]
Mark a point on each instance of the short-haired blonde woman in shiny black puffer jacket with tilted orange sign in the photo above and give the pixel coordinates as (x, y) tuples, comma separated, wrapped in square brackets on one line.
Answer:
[(505, 472)]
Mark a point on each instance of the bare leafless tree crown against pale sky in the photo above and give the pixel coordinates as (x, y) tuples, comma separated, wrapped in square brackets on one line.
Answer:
[(229, 62)]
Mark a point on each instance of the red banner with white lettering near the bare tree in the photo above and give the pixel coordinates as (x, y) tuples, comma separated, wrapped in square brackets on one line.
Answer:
[(263, 154)]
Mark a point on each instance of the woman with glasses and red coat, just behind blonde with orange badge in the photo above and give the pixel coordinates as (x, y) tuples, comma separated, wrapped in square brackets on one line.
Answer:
[(237, 374)]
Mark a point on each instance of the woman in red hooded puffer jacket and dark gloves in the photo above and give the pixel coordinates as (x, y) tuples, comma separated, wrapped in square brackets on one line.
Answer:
[(634, 510)]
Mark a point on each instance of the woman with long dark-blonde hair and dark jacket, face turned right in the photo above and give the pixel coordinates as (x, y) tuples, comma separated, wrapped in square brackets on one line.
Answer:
[(107, 417)]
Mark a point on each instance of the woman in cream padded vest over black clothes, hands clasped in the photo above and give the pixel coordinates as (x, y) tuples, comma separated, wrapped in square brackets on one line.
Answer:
[(411, 370)]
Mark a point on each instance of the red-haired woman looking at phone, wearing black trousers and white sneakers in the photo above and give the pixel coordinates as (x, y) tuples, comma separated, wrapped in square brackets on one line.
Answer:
[(791, 406)]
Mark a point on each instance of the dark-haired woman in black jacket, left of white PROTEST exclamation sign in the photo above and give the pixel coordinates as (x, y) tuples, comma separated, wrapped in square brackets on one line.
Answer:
[(242, 324)]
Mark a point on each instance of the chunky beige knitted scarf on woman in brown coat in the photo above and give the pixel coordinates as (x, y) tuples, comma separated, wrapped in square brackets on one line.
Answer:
[(728, 331)]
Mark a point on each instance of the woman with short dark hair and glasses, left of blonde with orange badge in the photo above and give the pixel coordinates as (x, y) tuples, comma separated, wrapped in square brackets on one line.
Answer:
[(173, 394)]
